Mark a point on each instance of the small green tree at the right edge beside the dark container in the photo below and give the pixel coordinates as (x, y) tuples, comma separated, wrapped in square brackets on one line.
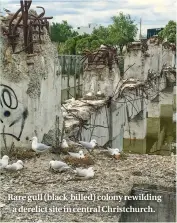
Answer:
[(169, 32)]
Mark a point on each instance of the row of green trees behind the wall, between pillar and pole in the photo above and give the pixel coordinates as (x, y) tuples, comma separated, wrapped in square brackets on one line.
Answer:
[(119, 33)]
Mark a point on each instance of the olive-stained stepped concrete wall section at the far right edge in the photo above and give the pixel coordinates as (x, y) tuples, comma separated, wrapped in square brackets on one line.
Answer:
[(159, 122)]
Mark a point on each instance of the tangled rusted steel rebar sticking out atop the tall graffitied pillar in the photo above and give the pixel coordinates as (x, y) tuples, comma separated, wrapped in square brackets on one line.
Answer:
[(31, 25)]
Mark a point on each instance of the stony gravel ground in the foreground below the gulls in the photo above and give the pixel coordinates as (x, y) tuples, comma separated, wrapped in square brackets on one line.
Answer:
[(113, 177)]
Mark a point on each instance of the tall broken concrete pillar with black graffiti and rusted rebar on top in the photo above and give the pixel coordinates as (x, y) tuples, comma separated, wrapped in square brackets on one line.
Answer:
[(30, 78)]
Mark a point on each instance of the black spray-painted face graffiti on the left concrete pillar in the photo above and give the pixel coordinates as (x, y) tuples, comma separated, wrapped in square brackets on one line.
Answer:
[(11, 112)]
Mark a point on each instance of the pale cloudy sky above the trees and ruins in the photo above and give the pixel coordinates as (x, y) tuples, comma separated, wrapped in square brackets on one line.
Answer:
[(154, 13)]
